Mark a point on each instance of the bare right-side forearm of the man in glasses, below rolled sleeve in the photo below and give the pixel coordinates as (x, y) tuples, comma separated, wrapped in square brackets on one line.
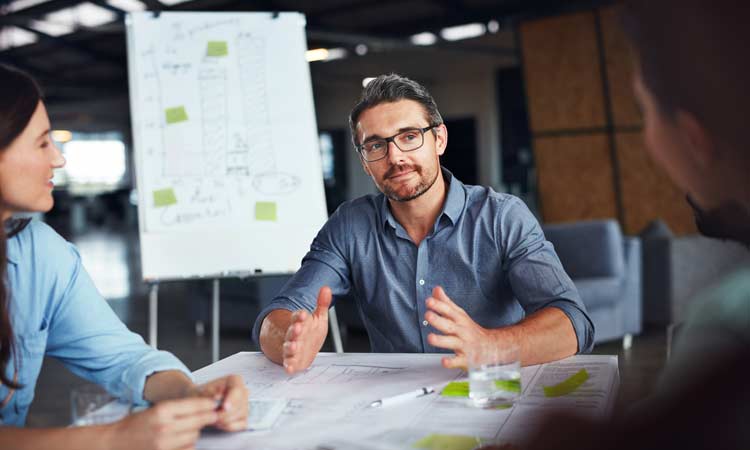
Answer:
[(544, 336)]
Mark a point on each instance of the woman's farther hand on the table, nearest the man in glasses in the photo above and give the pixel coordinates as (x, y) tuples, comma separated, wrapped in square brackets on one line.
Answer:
[(233, 395)]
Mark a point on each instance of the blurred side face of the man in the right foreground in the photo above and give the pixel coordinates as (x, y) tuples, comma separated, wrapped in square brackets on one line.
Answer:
[(715, 216)]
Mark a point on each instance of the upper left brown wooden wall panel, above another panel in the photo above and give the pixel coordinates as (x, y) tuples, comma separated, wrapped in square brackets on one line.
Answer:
[(562, 73)]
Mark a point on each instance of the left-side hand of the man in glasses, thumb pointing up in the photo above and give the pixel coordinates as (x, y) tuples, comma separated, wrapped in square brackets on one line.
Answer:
[(306, 334)]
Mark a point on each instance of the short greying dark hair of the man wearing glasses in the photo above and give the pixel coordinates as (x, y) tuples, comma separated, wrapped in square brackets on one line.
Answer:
[(392, 88)]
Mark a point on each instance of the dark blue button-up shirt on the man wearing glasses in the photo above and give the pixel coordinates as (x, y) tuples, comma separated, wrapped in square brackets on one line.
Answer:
[(486, 250)]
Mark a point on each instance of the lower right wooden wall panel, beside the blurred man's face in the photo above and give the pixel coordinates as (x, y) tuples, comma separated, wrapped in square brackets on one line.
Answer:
[(647, 192)]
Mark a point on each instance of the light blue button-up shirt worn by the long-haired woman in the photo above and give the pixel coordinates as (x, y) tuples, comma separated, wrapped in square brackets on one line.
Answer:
[(56, 310)]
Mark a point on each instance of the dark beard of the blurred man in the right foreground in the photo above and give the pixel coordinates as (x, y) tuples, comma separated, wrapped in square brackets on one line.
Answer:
[(730, 221)]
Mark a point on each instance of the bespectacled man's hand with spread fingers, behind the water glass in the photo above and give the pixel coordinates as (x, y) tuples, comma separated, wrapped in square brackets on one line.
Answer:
[(460, 332)]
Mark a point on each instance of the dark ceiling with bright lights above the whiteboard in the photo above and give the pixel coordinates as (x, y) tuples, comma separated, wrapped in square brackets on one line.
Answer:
[(91, 63)]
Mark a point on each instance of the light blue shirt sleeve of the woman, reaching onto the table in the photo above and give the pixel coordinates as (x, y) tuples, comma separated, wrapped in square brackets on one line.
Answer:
[(87, 336)]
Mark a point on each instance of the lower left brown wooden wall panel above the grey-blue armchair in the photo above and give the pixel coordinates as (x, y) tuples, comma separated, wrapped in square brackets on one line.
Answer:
[(575, 178)]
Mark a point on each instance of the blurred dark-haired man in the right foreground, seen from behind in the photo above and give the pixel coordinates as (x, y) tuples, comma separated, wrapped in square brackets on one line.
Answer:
[(691, 80)]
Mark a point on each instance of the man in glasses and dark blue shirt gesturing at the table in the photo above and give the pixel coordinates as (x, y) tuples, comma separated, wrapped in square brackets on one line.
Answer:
[(435, 265)]
